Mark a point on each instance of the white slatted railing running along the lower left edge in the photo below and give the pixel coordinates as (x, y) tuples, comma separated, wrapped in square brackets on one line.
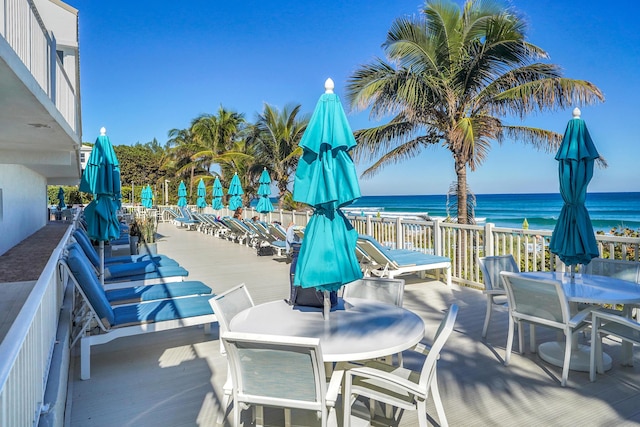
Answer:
[(25, 352)]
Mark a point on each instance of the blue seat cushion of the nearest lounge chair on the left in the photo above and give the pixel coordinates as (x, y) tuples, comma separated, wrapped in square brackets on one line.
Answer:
[(158, 311)]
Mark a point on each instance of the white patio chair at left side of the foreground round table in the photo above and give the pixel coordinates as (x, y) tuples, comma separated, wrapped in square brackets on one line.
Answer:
[(226, 305)]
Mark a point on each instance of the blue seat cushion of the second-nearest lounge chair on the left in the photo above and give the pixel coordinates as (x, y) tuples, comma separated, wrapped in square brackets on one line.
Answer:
[(157, 292)]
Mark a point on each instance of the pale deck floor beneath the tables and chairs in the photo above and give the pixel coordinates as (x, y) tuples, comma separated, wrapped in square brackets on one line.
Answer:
[(175, 378)]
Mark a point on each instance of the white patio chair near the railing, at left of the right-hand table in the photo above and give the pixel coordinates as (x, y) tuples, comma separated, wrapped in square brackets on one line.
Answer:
[(491, 267)]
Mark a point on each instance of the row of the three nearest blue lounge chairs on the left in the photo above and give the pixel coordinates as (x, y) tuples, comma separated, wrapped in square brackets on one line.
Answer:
[(142, 294)]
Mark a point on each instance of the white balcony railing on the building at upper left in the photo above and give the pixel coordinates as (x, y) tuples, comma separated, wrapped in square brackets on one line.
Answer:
[(25, 32)]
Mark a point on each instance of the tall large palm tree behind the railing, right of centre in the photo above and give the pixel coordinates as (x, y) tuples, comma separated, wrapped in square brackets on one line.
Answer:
[(452, 77)]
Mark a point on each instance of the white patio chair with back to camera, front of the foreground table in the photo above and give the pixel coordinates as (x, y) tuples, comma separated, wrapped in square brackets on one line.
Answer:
[(284, 372)]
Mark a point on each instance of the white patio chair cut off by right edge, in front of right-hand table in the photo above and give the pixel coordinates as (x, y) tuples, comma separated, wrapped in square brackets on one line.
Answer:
[(605, 323)]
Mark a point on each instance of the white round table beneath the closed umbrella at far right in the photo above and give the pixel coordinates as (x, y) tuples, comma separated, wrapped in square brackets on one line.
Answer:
[(590, 289)]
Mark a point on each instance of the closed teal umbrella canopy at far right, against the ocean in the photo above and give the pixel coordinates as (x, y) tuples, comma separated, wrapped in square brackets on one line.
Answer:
[(573, 239)]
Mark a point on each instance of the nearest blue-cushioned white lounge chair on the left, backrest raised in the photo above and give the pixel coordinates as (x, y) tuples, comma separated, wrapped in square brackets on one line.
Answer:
[(97, 322)]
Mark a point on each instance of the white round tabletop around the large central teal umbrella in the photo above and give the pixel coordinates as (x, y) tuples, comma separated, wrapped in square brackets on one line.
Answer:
[(357, 329)]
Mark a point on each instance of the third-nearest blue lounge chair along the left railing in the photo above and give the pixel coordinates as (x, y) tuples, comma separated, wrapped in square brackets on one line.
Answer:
[(135, 274)]
